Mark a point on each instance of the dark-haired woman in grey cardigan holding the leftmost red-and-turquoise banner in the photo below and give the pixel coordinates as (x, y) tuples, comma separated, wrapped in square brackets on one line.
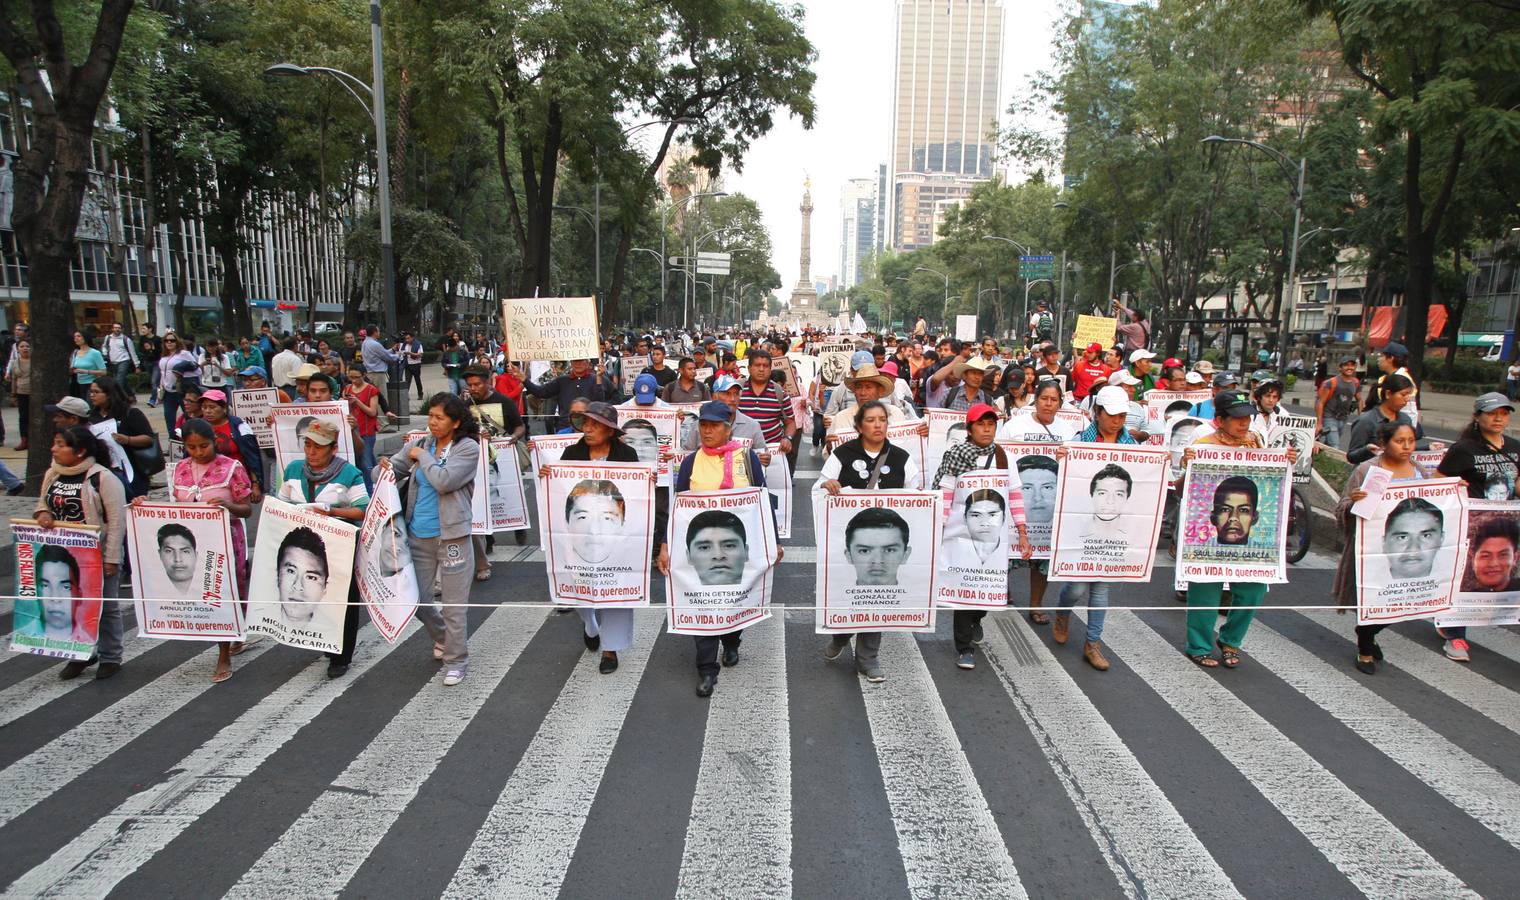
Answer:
[(78, 490)]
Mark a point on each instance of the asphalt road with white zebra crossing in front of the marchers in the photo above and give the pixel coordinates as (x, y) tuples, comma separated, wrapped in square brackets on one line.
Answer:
[(1033, 775)]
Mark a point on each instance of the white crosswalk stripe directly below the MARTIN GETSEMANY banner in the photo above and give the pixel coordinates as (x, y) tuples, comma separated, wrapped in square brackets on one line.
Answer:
[(744, 785)]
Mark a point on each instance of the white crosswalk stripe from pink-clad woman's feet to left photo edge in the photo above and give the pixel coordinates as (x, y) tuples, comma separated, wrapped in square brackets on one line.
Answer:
[(83, 747)]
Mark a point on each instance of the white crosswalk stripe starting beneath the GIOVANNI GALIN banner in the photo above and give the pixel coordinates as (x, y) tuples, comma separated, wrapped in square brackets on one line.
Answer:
[(1148, 846)]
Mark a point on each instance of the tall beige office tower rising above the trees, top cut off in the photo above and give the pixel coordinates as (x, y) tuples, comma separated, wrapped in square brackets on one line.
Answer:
[(946, 109)]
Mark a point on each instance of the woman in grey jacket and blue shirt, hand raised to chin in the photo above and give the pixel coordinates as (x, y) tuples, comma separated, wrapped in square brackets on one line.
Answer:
[(443, 467)]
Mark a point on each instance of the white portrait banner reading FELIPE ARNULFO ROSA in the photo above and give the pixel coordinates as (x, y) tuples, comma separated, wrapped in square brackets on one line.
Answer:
[(185, 572)]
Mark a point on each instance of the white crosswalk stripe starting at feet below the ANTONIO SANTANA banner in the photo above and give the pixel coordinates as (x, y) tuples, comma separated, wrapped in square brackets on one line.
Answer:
[(525, 845)]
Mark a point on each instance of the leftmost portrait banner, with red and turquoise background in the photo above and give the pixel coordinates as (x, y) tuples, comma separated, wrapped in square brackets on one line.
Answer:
[(59, 585)]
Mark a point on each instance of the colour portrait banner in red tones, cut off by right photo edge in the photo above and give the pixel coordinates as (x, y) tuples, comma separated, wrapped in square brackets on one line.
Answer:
[(1490, 588)]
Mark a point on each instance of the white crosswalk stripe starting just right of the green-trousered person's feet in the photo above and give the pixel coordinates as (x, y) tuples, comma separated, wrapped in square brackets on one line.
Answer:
[(1472, 785)]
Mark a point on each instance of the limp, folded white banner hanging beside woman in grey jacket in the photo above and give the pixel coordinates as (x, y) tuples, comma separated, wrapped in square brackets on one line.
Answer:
[(387, 580)]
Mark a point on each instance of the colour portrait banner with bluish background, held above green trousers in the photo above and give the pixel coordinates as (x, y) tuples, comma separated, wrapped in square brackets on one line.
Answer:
[(1235, 516)]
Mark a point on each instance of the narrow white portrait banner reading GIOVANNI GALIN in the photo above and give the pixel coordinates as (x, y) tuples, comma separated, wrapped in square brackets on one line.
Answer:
[(974, 565)]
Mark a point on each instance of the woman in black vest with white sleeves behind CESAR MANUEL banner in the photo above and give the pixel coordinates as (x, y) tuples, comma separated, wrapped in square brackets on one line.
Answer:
[(867, 463)]
